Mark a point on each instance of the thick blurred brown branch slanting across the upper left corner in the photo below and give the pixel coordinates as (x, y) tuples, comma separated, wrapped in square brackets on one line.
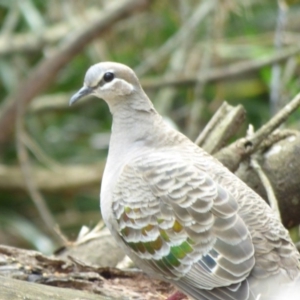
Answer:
[(47, 69)]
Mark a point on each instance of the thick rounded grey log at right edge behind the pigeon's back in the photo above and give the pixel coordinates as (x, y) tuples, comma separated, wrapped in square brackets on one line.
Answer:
[(280, 163)]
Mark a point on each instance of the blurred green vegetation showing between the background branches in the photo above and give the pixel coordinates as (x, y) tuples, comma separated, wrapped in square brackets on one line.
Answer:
[(233, 31)]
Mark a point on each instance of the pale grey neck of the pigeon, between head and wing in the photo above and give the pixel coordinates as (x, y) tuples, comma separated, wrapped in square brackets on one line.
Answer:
[(136, 125)]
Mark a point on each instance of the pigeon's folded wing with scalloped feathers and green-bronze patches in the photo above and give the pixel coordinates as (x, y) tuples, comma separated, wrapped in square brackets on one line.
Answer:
[(181, 222)]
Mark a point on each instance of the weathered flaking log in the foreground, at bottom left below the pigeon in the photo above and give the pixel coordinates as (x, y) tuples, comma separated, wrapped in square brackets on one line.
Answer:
[(69, 273)]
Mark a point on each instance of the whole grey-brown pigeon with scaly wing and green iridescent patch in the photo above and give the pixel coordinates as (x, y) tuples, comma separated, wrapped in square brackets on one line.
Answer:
[(177, 212)]
